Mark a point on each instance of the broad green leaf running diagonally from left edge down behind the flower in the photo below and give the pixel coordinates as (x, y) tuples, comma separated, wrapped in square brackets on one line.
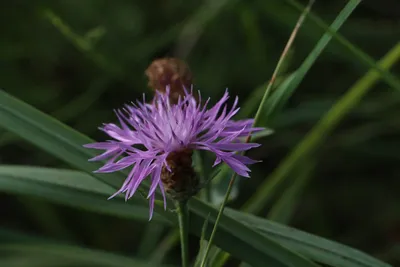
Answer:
[(66, 144)]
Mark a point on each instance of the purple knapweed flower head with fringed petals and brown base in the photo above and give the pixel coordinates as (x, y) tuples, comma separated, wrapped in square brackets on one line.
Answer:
[(157, 140)]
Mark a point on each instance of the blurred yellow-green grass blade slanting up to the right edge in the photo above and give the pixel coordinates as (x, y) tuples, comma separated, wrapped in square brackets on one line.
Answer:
[(319, 132)]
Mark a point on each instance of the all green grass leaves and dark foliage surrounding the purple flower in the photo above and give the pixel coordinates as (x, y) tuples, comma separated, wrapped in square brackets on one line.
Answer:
[(67, 64)]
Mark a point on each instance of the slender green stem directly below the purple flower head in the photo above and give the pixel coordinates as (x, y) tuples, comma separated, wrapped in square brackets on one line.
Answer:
[(183, 218)]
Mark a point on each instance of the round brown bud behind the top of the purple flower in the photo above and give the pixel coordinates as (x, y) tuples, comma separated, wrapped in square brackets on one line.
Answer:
[(171, 72)]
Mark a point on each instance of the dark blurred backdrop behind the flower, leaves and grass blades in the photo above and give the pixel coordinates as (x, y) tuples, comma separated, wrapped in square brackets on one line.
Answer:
[(78, 60)]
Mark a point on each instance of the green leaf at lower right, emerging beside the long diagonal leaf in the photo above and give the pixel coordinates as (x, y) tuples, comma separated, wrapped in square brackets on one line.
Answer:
[(314, 247)]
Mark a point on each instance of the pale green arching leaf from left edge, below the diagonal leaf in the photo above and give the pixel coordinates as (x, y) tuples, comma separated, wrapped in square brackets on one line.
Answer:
[(72, 188)]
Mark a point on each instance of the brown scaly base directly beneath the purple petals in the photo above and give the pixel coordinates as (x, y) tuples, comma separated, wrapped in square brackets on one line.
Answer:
[(181, 182)]
